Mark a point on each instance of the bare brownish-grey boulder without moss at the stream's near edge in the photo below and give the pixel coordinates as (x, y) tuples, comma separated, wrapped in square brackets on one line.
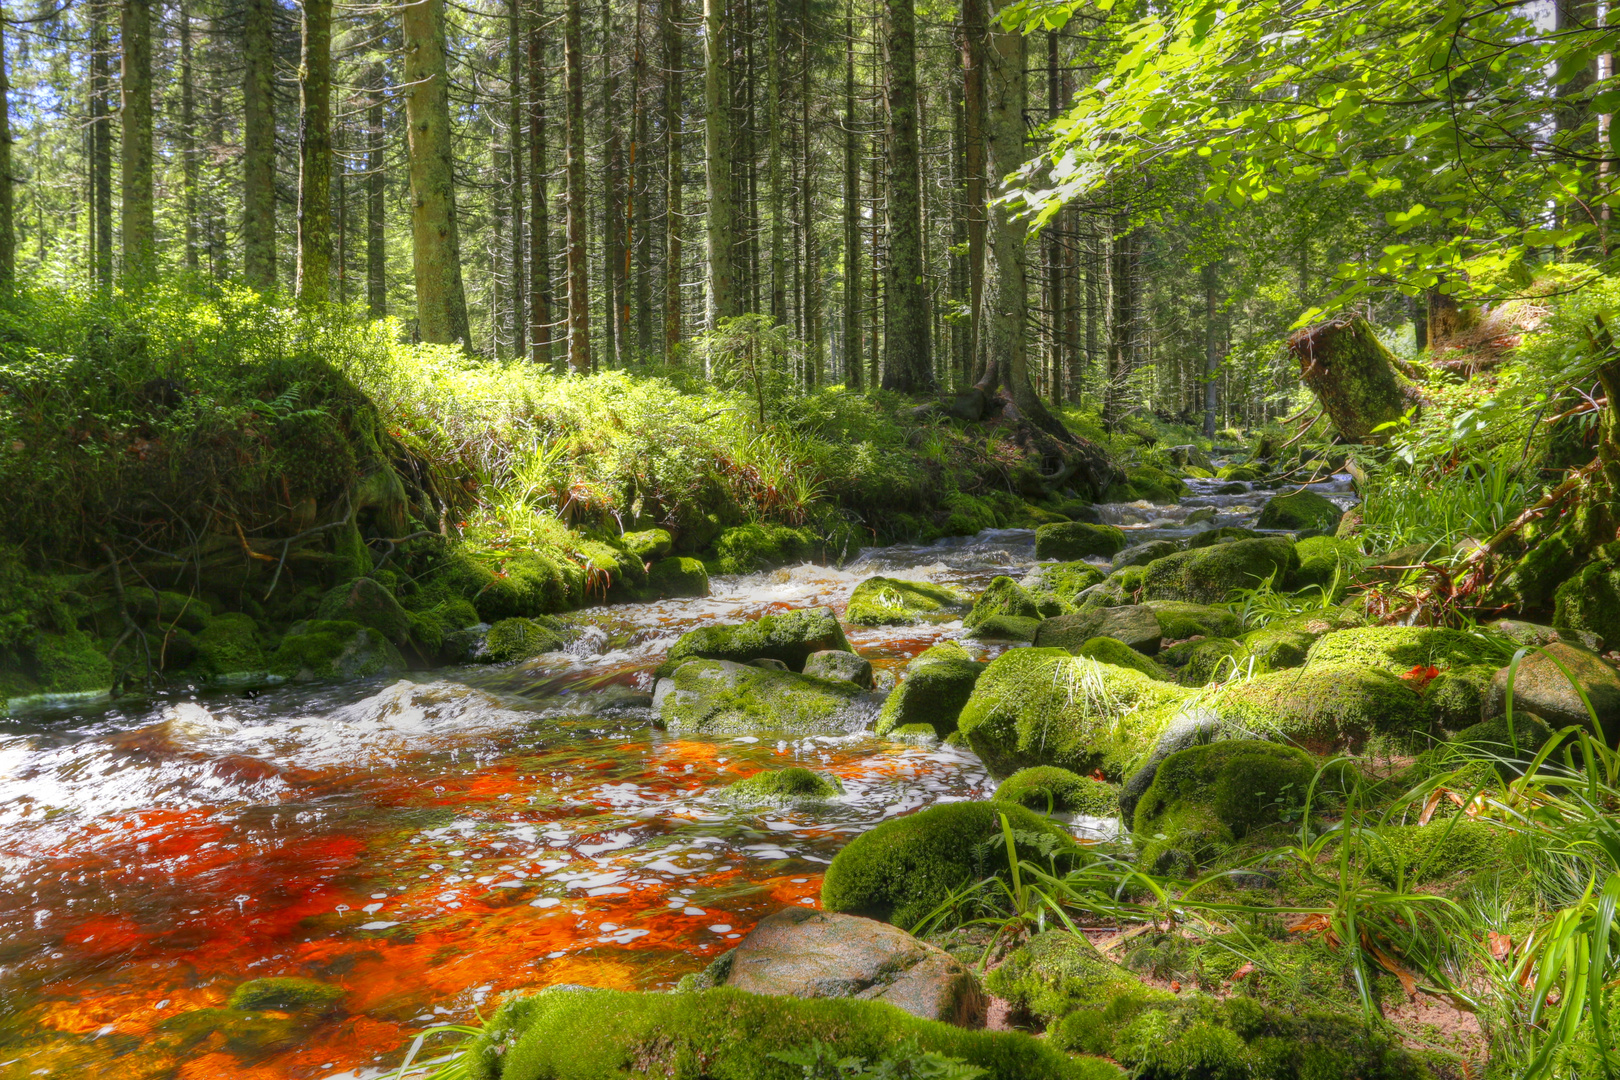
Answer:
[(801, 953)]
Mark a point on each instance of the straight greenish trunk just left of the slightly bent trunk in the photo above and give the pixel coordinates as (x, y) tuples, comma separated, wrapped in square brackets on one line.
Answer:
[(258, 145)]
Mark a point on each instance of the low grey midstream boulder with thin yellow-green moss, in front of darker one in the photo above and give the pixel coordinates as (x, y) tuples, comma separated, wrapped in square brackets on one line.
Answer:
[(722, 697)]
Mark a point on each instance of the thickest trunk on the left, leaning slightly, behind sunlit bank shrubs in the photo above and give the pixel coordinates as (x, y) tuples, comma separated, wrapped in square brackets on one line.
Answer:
[(437, 247)]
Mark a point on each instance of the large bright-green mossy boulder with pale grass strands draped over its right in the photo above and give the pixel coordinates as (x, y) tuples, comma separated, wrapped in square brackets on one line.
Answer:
[(1044, 707)]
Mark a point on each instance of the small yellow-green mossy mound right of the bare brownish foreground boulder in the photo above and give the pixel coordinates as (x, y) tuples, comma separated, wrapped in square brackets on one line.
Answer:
[(1055, 974)]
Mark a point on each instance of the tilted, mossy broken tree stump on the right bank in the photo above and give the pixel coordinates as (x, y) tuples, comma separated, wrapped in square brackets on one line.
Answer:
[(1358, 381)]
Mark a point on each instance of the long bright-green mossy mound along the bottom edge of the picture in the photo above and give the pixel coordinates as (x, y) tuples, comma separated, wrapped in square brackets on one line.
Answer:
[(568, 1034)]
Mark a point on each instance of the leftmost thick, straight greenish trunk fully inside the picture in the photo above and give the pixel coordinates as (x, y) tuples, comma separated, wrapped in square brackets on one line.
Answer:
[(140, 227)]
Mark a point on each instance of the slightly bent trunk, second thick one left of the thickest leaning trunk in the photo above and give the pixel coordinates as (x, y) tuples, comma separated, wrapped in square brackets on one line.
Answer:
[(315, 155)]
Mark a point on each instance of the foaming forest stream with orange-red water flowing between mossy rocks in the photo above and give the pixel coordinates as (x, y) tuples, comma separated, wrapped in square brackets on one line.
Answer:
[(433, 843)]
